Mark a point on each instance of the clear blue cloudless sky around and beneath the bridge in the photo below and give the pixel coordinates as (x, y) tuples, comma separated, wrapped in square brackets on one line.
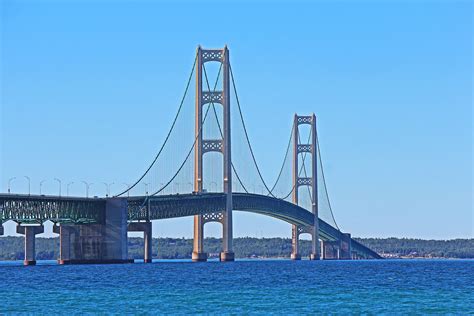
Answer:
[(89, 89)]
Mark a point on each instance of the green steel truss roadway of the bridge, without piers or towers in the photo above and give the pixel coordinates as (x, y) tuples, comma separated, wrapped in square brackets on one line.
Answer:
[(30, 209)]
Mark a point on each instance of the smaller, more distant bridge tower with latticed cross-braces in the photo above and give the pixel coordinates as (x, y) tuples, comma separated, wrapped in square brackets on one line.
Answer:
[(311, 181)]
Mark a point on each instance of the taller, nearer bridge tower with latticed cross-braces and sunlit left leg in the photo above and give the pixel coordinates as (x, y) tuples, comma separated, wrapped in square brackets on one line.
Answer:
[(222, 145)]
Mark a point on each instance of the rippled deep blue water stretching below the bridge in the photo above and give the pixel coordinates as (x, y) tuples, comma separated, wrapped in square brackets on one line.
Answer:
[(260, 287)]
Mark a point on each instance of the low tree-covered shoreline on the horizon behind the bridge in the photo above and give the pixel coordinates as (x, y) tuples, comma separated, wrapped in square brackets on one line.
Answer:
[(11, 248)]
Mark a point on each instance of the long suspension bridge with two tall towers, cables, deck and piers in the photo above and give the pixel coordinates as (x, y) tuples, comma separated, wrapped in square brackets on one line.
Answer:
[(203, 168)]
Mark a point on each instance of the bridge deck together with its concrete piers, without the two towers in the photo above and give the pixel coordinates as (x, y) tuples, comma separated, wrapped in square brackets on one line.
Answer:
[(94, 230)]
